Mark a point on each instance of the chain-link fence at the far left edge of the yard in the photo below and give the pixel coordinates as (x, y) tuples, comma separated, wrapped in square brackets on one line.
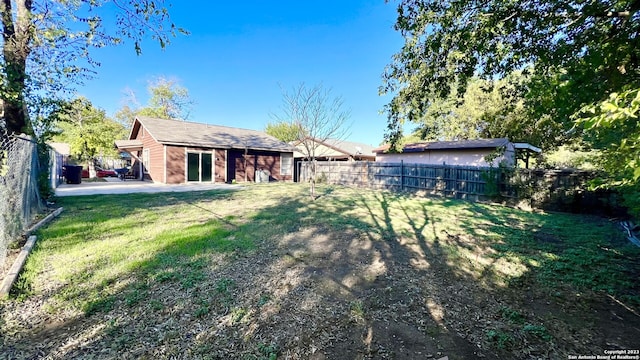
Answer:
[(19, 196)]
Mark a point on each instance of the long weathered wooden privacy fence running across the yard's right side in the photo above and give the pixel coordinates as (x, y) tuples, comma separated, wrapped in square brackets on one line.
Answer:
[(560, 190)]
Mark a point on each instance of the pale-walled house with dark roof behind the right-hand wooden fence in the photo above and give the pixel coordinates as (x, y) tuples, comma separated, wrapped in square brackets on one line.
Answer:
[(463, 152)]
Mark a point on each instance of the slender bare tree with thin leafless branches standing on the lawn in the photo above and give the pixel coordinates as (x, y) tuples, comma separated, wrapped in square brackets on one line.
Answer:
[(318, 116)]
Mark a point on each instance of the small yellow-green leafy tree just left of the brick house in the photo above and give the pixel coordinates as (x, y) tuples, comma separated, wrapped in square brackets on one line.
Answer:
[(88, 131)]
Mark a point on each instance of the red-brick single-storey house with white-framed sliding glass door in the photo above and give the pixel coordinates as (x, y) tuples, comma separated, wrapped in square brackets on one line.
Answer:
[(175, 151)]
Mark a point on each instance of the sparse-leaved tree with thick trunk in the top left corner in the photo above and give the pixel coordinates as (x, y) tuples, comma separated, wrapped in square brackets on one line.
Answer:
[(46, 47)]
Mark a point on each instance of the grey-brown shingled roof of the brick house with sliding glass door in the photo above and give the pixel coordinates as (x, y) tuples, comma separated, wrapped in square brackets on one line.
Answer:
[(186, 133)]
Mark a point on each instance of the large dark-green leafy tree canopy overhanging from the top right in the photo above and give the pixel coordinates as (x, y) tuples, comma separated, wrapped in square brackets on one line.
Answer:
[(577, 51)]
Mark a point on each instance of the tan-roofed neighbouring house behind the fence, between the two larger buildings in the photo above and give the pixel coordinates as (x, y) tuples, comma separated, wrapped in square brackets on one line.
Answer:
[(331, 150)]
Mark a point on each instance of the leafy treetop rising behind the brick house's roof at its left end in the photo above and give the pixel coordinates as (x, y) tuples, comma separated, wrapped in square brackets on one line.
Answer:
[(167, 100)]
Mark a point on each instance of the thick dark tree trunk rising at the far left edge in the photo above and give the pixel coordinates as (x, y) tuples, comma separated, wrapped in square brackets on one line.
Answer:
[(17, 35)]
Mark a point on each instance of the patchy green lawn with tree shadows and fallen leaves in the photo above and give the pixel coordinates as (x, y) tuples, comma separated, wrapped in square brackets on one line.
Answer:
[(265, 272)]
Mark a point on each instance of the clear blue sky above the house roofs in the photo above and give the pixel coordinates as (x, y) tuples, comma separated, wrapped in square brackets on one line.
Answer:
[(240, 54)]
